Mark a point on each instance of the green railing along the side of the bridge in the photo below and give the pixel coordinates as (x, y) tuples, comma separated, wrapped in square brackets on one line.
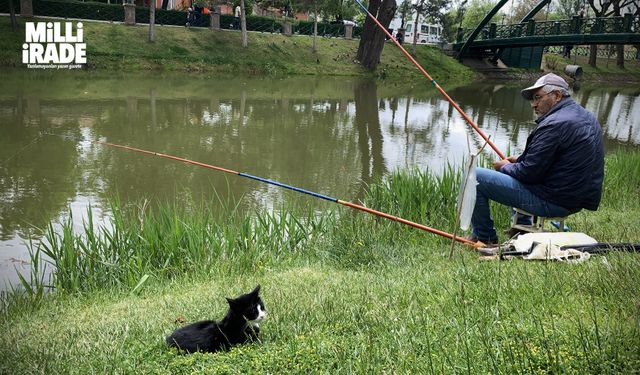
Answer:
[(576, 25)]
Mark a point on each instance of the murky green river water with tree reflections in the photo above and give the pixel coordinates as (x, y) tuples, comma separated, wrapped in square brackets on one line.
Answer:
[(329, 135)]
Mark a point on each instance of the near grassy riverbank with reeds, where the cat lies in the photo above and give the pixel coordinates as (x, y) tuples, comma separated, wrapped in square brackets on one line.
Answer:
[(344, 294)]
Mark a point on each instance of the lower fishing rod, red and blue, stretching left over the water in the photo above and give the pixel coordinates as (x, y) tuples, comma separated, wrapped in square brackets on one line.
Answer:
[(304, 191)]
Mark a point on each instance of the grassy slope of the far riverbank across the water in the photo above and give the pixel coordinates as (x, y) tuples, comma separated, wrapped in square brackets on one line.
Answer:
[(114, 47)]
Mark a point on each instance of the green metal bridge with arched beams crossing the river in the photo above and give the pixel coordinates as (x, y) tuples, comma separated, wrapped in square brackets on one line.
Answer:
[(490, 38)]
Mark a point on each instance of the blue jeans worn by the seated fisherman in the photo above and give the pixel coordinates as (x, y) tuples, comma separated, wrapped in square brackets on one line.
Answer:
[(502, 188)]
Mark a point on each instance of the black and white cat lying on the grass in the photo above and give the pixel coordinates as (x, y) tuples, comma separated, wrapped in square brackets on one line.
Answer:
[(239, 326)]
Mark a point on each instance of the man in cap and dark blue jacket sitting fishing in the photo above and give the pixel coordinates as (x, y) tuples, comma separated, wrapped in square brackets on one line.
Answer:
[(560, 171)]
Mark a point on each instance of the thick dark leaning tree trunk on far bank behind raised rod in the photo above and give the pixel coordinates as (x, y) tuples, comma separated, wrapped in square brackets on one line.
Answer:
[(372, 39)]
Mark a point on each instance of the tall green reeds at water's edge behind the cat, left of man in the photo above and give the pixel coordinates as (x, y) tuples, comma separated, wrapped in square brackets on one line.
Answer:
[(169, 240)]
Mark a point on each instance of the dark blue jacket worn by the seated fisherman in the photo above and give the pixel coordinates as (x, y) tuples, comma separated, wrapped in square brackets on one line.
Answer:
[(563, 161)]
